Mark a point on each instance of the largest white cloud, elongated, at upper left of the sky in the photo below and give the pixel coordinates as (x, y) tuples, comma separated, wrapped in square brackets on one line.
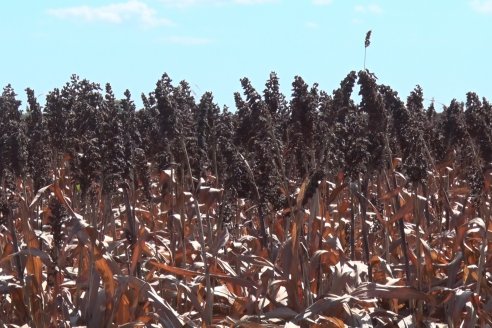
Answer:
[(113, 13)]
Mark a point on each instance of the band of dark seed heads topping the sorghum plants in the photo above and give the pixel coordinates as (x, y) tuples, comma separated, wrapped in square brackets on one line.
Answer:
[(88, 135)]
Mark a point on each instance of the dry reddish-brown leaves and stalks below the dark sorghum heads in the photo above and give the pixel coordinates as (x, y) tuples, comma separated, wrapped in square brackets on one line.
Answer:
[(303, 277)]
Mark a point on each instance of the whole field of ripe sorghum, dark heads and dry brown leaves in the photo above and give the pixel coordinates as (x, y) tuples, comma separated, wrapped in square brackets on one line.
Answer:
[(318, 211)]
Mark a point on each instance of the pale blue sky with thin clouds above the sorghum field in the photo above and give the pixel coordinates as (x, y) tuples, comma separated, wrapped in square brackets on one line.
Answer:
[(445, 46)]
